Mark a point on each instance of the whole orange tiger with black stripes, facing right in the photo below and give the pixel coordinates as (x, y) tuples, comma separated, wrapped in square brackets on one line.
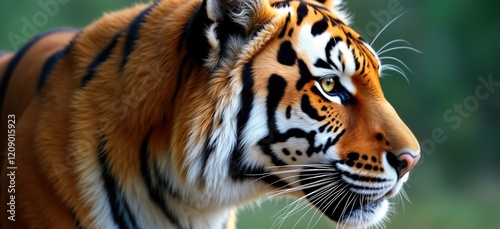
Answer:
[(174, 114)]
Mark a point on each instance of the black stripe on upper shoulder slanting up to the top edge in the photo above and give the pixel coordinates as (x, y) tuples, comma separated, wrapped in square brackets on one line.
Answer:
[(133, 33)]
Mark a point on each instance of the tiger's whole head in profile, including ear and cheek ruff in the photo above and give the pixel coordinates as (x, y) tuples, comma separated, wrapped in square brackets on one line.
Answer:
[(299, 109)]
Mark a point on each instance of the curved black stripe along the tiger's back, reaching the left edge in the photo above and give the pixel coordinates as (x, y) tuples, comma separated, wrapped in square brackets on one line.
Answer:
[(11, 67)]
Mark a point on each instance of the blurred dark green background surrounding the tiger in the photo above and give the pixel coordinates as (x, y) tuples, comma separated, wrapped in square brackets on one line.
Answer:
[(457, 182)]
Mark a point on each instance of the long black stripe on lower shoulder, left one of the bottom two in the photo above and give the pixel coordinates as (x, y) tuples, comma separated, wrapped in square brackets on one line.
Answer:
[(120, 210)]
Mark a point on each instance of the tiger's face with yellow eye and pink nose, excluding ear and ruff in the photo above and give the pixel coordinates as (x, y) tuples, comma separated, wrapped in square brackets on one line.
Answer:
[(315, 122)]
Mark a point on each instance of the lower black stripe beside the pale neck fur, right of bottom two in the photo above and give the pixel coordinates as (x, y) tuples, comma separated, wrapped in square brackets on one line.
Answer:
[(154, 184)]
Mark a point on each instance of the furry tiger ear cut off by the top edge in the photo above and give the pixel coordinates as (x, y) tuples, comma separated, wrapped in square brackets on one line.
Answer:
[(242, 12)]
